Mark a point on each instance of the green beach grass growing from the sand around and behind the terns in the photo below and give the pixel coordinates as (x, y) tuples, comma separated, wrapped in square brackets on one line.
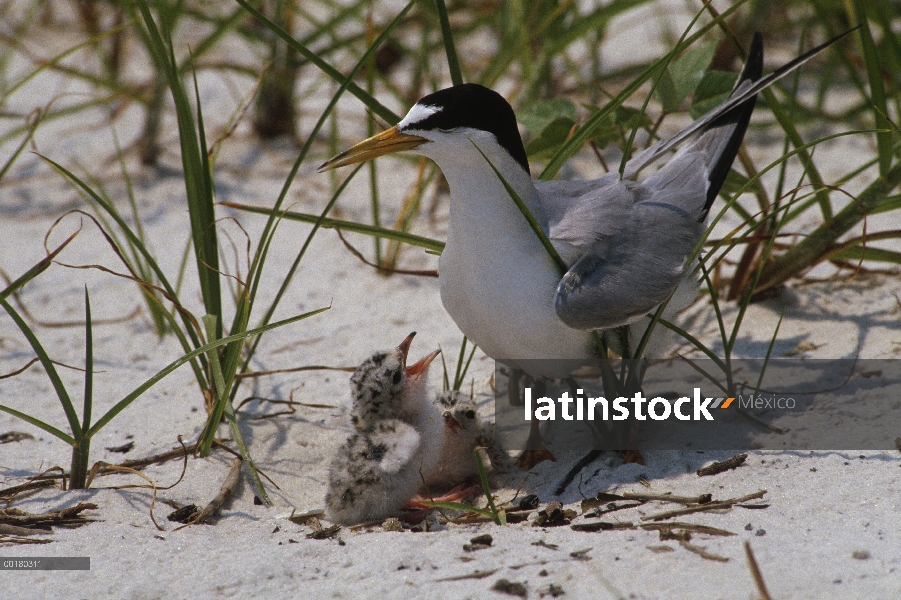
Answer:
[(573, 107)]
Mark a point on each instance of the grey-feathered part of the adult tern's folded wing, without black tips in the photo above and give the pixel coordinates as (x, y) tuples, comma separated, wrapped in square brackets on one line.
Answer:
[(632, 241)]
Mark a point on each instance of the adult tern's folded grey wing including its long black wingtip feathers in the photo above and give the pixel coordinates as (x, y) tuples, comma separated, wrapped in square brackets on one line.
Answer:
[(632, 239)]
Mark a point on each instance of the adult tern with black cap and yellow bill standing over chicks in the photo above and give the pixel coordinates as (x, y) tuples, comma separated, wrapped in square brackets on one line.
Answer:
[(624, 242)]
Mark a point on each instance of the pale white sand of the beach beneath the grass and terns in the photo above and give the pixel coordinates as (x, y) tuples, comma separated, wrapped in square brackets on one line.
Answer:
[(823, 506)]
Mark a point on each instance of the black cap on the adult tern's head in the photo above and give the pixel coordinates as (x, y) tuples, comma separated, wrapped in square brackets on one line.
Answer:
[(475, 106)]
